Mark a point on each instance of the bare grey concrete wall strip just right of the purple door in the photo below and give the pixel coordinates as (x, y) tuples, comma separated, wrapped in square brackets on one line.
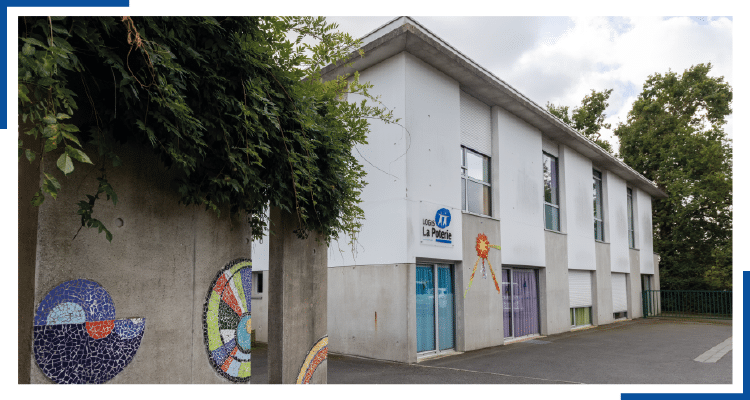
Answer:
[(554, 296)]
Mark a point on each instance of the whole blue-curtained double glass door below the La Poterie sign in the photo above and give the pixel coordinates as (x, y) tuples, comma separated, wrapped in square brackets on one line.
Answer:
[(435, 308)]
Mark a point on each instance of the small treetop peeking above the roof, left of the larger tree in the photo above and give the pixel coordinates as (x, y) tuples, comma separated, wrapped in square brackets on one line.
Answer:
[(588, 119)]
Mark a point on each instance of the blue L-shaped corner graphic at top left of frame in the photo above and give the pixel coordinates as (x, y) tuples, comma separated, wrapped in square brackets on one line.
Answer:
[(41, 3)]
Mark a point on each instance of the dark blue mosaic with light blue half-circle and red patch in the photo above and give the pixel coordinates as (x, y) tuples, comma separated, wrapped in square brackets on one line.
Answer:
[(77, 338)]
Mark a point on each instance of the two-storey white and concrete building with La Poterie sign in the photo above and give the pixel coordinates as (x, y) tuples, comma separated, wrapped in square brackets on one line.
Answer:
[(474, 156)]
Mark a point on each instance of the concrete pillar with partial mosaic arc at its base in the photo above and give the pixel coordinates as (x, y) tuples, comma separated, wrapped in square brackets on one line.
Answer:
[(297, 307)]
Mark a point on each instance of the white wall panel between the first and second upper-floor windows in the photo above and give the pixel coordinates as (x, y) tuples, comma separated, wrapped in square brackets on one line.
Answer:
[(520, 192)]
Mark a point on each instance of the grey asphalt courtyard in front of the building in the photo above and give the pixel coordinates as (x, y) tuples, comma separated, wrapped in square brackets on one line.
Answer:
[(643, 351)]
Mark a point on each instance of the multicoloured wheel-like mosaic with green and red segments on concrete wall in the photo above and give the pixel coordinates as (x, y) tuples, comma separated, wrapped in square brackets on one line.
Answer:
[(227, 323)]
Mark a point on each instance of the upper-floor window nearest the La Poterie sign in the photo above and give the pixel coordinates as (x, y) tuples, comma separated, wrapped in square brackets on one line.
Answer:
[(475, 182)]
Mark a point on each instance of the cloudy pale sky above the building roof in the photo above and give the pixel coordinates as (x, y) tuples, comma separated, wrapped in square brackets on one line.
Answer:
[(561, 59)]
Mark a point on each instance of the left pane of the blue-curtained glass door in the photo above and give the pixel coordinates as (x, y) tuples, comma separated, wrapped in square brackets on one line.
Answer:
[(425, 308)]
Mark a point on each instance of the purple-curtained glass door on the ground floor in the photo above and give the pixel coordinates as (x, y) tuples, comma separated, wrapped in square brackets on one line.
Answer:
[(520, 303)]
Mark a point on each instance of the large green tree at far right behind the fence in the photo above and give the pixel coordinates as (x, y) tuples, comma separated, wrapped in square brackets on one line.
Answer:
[(674, 135)]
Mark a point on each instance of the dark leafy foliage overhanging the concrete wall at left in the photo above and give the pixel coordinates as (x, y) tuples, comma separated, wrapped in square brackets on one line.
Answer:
[(232, 105)]
